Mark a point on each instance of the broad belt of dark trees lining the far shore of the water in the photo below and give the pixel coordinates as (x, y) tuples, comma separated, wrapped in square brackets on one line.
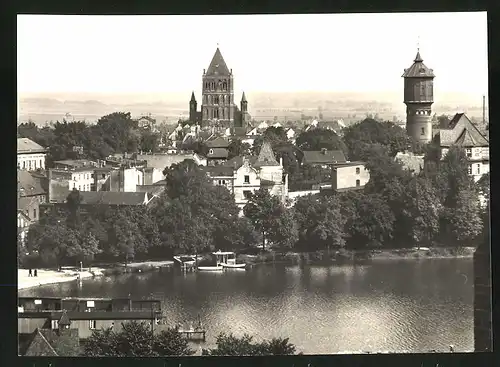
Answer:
[(439, 205)]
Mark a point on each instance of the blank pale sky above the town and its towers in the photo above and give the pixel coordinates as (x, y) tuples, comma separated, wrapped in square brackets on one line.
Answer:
[(268, 53)]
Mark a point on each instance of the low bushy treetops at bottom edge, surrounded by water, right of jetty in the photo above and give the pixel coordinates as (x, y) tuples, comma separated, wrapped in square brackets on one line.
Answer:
[(229, 345)]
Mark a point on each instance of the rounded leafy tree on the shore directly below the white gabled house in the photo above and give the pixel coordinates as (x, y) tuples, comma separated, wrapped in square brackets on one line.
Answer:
[(269, 217)]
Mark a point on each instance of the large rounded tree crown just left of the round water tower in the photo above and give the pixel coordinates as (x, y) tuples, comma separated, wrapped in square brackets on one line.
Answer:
[(370, 131)]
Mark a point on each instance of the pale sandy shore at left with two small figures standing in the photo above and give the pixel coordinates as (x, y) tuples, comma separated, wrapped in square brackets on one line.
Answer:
[(68, 274)]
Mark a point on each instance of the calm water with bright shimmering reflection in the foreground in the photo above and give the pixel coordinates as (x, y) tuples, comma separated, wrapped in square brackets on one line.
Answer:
[(395, 306)]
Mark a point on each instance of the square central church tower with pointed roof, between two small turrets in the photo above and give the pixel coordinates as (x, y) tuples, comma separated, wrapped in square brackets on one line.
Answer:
[(218, 108)]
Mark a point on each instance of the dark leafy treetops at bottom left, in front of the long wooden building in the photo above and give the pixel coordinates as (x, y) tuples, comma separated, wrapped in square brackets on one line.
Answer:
[(136, 340)]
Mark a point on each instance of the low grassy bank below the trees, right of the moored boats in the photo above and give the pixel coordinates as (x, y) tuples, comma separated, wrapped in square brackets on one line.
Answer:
[(353, 256)]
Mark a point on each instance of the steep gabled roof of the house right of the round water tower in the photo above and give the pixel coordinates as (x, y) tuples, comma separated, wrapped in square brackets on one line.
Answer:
[(461, 131)]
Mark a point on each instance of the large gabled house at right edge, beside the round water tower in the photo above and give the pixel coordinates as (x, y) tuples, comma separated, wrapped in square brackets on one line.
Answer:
[(460, 131)]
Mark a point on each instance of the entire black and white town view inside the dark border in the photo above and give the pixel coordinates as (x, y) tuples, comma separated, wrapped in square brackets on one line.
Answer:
[(253, 185)]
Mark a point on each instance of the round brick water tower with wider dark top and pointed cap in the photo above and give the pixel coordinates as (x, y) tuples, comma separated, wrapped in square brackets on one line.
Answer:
[(419, 97)]
